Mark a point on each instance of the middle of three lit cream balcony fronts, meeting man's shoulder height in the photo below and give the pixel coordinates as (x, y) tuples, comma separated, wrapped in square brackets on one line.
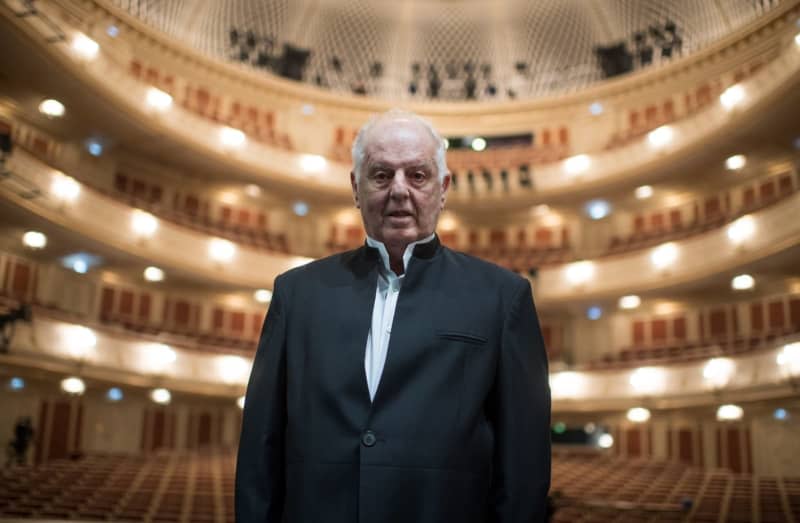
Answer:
[(751, 237)]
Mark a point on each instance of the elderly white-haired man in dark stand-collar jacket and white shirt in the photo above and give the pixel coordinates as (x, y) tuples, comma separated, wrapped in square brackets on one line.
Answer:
[(401, 382)]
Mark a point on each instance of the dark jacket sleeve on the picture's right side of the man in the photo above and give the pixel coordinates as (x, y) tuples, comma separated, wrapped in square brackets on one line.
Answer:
[(519, 410)]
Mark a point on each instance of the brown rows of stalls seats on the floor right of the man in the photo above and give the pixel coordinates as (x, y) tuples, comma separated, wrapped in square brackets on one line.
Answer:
[(594, 487)]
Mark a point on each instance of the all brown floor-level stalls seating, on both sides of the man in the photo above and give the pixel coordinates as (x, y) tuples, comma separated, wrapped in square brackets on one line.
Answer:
[(198, 486)]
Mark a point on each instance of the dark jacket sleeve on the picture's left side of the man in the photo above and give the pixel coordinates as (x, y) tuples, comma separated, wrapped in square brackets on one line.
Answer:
[(260, 478)]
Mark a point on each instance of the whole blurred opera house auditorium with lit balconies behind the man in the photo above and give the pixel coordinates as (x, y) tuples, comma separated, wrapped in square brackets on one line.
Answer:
[(637, 161)]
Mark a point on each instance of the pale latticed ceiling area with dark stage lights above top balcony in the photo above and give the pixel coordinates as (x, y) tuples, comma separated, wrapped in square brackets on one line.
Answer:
[(447, 50)]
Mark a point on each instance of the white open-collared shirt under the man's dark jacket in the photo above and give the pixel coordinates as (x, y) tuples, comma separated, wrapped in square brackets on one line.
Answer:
[(386, 294)]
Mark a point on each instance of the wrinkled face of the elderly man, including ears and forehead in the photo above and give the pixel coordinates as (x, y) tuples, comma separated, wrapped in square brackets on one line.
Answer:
[(399, 192)]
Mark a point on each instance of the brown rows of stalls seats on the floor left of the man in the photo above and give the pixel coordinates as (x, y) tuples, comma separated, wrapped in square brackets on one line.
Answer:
[(195, 487)]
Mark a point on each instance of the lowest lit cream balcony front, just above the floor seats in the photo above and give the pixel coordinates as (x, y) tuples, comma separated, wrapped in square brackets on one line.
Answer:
[(58, 346)]
